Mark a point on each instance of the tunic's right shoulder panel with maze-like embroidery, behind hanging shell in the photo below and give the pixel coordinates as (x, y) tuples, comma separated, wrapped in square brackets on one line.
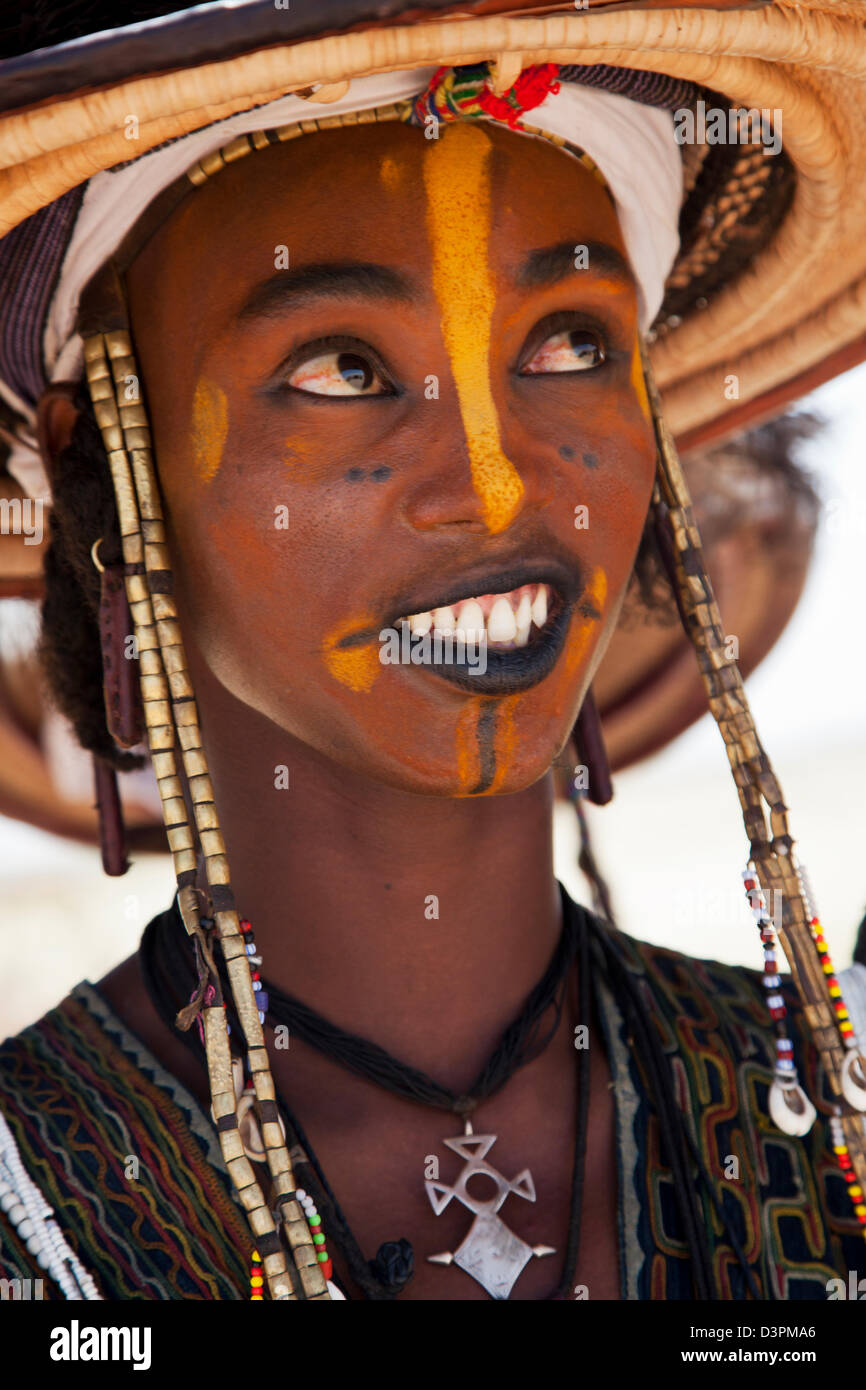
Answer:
[(785, 1195)]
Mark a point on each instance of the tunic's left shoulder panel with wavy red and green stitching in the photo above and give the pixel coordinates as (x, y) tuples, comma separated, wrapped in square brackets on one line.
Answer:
[(123, 1156)]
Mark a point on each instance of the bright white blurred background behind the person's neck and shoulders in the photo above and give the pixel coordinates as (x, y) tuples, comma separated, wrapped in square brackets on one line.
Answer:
[(671, 844)]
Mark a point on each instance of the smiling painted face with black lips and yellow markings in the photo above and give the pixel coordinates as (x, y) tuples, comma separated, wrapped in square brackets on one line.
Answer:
[(397, 379)]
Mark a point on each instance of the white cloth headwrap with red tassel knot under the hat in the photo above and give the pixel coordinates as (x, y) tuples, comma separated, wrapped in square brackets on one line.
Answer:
[(615, 120)]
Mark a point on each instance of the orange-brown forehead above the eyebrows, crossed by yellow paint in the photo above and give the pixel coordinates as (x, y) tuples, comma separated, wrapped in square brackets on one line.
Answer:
[(363, 194)]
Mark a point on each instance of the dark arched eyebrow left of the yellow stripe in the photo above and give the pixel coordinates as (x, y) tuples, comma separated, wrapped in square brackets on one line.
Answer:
[(333, 280)]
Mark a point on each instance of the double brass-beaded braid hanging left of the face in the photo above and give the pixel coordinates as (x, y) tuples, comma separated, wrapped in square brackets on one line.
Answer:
[(173, 721)]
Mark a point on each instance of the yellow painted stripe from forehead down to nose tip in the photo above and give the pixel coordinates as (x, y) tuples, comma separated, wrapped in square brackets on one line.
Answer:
[(458, 184)]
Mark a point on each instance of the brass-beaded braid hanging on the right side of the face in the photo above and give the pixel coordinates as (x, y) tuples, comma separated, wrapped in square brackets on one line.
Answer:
[(772, 847)]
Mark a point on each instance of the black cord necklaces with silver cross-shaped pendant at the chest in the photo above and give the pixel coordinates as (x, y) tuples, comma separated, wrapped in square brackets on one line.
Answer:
[(168, 964)]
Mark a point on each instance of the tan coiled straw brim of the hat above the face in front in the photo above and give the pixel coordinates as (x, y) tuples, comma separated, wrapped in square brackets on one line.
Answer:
[(800, 302)]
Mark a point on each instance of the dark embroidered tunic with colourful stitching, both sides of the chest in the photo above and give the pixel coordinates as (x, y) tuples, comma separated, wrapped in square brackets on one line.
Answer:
[(133, 1168)]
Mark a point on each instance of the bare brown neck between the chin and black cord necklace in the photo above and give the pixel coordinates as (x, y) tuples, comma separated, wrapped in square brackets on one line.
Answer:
[(418, 922)]
